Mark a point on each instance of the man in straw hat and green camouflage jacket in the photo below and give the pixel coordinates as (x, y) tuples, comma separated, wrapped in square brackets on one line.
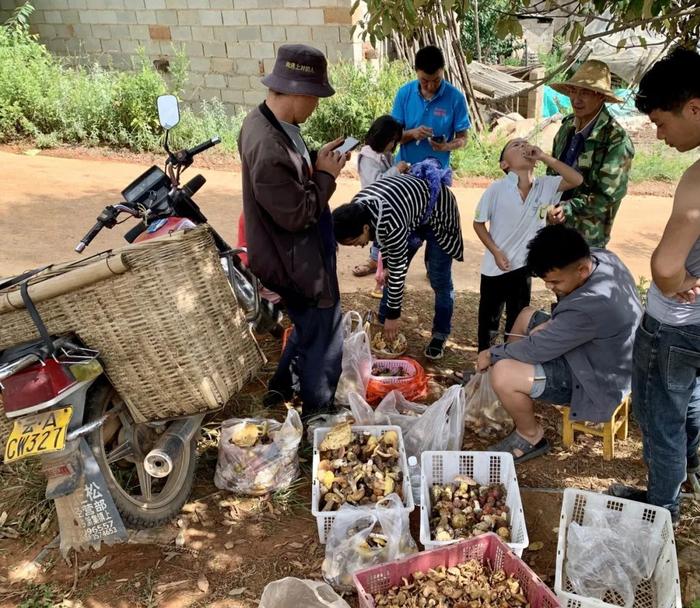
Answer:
[(592, 141)]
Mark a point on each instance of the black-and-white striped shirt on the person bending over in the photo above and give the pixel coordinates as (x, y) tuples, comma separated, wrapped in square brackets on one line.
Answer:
[(397, 205)]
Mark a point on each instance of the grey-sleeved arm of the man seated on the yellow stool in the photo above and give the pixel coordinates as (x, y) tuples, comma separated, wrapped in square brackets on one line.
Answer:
[(565, 332)]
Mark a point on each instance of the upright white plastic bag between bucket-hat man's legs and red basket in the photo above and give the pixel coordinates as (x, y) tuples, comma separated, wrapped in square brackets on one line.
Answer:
[(357, 359)]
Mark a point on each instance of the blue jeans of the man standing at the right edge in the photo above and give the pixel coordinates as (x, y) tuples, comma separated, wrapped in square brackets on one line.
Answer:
[(666, 404)]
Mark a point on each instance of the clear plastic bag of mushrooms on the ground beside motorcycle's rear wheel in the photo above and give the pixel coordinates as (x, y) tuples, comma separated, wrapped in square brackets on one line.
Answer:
[(261, 468)]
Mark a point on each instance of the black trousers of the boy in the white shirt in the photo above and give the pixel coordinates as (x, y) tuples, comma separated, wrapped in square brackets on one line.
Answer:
[(510, 290)]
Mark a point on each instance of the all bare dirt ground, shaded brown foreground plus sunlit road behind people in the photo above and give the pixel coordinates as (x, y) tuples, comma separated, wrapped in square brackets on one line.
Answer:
[(234, 546)]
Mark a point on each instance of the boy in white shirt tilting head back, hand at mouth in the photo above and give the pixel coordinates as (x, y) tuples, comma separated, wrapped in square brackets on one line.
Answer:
[(515, 207)]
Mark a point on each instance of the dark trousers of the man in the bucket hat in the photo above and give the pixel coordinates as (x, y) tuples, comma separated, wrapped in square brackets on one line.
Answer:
[(311, 361)]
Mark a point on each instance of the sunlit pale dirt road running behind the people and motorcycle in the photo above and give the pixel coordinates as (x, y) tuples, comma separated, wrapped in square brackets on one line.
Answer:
[(48, 203)]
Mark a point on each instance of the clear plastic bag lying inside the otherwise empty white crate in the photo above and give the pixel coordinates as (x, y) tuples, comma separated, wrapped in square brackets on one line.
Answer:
[(610, 553)]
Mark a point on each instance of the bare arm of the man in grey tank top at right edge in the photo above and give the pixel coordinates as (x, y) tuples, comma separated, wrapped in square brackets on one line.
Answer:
[(681, 232)]
